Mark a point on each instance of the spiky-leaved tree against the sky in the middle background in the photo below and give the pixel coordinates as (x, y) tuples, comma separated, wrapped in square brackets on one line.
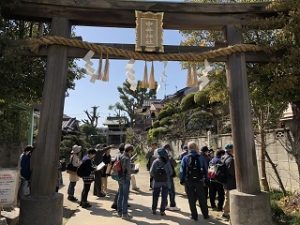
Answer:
[(132, 100)]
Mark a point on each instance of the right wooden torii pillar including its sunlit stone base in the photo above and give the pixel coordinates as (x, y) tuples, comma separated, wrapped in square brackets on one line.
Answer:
[(248, 205)]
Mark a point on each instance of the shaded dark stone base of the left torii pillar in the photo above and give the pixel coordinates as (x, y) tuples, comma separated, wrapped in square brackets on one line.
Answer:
[(42, 210)]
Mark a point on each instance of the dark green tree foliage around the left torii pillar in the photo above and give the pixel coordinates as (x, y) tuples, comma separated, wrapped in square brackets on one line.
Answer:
[(22, 77)]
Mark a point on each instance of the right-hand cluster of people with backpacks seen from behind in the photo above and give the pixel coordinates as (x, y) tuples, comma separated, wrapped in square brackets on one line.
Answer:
[(194, 166)]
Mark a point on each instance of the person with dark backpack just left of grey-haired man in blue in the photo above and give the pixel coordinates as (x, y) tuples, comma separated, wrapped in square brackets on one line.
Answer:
[(161, 171)]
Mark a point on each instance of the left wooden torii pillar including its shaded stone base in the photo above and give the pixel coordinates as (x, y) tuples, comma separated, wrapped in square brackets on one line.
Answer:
[(43, 198)]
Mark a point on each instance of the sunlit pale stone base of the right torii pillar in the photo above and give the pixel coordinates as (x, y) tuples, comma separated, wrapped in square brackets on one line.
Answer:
[(246, 209)]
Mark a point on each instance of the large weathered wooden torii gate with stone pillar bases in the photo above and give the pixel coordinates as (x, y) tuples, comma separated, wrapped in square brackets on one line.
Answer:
[(44, 206)]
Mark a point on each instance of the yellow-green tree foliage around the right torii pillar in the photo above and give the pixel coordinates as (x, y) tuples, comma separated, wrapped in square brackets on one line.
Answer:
[(272, 86)]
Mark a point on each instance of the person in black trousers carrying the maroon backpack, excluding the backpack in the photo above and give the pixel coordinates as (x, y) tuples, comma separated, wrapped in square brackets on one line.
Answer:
[(215, 186)]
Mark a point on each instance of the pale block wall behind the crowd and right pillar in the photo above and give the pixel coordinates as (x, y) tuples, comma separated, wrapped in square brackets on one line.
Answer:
[(287, 166)]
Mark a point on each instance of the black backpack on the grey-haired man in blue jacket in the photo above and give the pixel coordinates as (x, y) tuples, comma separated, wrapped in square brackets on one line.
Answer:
[(194, 171)]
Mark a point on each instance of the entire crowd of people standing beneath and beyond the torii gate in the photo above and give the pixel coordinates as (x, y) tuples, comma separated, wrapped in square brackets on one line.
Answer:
[(194, 164)]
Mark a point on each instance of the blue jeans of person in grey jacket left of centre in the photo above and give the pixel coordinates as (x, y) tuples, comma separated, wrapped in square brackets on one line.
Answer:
[(123, 196)]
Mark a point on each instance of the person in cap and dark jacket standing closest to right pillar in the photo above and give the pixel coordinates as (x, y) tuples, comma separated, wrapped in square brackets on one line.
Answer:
[(230, 184)]
